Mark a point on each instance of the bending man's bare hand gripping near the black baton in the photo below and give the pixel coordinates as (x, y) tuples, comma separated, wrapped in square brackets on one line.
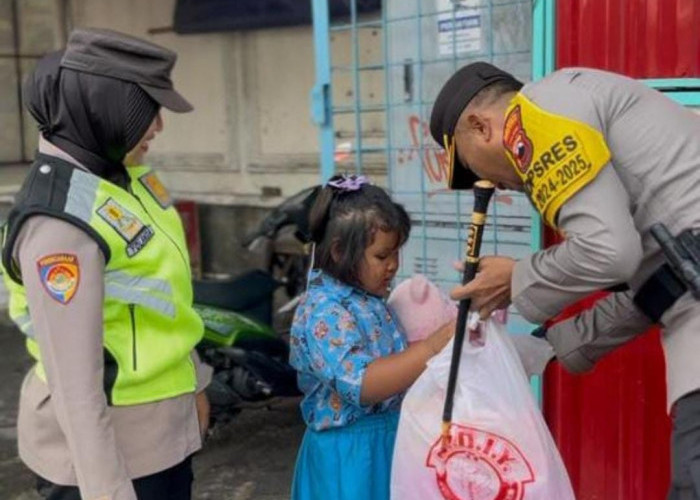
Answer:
[(490, 289)]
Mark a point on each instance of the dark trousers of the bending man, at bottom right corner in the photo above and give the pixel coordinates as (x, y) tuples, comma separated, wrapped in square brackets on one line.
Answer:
[(685, 449)]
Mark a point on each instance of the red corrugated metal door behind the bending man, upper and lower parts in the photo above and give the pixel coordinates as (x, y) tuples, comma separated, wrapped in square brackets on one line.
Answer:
[(611, 425)]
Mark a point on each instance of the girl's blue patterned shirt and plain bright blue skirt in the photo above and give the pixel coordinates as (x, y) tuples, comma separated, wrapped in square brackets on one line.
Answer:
[(338, 331)]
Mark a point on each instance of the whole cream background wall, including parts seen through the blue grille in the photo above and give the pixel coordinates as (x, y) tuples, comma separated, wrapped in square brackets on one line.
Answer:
[(251, 134)]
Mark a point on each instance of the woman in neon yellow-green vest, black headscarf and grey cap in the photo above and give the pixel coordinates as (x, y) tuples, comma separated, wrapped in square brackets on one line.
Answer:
[(97, 267)]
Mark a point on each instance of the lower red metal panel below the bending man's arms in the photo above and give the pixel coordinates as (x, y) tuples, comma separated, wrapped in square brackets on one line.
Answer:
[(611, 424)]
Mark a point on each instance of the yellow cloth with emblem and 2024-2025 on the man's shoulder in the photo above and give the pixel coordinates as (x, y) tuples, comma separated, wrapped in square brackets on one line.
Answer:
[(555, 156)]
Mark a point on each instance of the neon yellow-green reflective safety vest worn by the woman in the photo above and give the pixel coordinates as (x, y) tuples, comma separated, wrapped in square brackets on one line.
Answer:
[(150, 327)]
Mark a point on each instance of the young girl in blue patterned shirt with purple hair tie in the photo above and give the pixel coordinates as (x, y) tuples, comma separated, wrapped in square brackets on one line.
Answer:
[(353, 361)]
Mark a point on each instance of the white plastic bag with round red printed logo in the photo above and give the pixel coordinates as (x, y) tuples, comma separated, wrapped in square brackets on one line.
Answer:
[(499, 446)]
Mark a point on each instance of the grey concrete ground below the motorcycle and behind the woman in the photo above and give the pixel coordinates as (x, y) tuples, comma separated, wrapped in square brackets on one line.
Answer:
[(252, 457)]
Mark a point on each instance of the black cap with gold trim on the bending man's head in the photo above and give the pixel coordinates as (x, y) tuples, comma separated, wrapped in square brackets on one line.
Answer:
[(453, 98)]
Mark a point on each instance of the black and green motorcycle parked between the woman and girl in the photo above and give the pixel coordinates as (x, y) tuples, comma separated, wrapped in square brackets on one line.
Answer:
[(249, 356)]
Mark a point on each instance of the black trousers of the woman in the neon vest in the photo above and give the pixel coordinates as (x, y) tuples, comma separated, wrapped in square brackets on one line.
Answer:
[(171, 484)]
